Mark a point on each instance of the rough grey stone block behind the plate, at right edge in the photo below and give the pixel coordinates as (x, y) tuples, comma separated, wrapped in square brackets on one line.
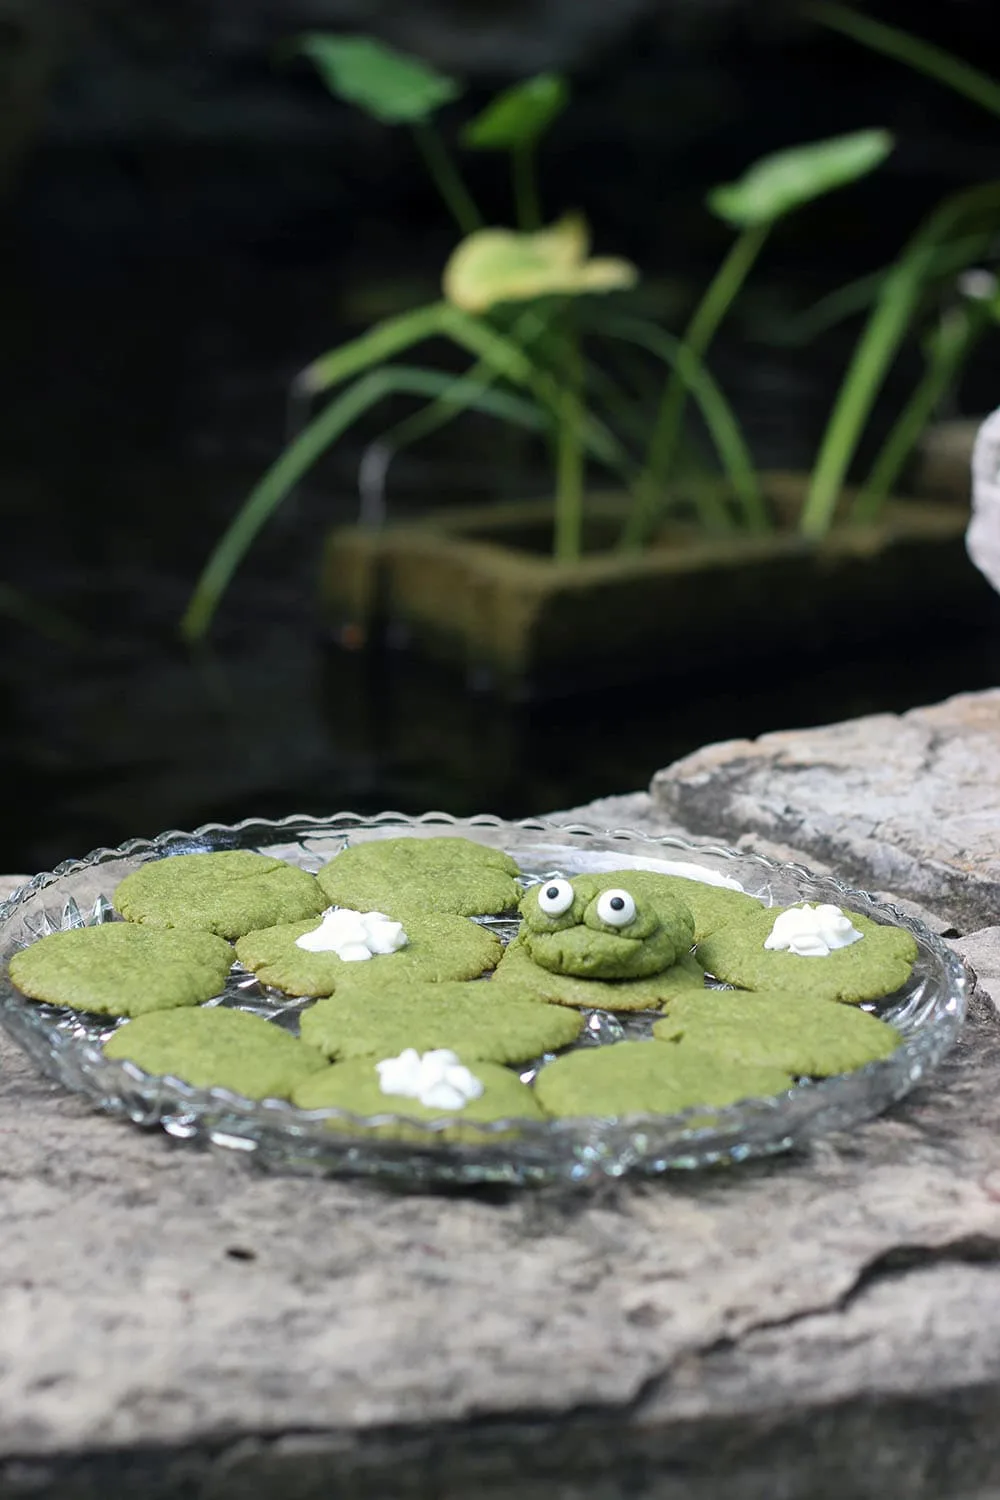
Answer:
[(906, 805)]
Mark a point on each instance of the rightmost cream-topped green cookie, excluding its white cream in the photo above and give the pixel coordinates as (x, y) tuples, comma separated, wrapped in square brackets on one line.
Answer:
[(866, 971)]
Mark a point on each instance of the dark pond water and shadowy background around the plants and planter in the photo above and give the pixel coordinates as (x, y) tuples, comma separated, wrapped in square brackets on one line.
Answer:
[(187, 221)]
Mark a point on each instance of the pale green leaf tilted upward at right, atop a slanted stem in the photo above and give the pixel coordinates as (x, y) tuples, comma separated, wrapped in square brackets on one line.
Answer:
[(776, 185)]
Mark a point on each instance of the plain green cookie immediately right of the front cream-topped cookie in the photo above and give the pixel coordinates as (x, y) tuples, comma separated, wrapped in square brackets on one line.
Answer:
[(648, 1078)]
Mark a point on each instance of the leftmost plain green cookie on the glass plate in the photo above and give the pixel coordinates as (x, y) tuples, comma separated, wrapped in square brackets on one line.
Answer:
[(118, 970)]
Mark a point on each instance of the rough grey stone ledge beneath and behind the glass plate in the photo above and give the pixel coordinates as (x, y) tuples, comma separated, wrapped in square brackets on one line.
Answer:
[(821, 1325)]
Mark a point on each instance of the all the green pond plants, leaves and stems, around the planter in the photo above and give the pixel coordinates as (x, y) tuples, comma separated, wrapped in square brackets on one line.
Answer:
[(516, 307)]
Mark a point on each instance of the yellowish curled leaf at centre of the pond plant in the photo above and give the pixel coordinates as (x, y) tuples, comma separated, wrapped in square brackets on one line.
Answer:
[(494, 266)]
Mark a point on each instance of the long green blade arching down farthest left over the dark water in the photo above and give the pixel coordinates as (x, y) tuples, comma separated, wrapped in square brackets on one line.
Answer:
[(299, 457)]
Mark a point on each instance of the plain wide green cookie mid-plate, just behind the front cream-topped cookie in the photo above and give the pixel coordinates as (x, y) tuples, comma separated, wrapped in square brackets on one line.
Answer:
[(466, 1018)]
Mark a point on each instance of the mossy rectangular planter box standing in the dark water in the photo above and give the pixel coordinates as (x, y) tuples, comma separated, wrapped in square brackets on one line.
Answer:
[(476, 587)]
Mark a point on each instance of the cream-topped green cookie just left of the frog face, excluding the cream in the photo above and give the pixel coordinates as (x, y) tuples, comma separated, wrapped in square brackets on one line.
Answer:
[(439, 949)]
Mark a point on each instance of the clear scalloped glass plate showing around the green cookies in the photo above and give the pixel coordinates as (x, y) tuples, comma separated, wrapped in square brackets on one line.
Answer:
[(275, 1135)]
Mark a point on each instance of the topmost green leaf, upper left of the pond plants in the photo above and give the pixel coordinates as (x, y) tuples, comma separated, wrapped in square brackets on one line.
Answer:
[(388, 85)]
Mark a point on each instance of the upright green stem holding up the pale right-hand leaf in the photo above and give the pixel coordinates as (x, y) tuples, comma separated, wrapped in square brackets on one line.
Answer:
[(701, 332)]
